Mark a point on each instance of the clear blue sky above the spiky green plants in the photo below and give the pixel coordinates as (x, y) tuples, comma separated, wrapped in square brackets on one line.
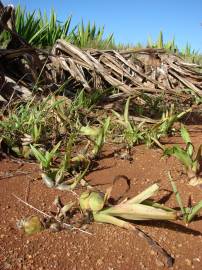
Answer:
[(132, 21)]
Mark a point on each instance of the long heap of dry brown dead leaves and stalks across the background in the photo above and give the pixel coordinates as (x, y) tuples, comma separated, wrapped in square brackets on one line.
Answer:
[(24, 69)]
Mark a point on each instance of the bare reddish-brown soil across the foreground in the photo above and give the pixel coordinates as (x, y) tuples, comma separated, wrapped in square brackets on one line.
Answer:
[(109, 247)]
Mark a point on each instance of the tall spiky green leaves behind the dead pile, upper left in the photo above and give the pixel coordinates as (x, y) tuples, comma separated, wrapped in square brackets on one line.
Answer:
[(42, 31)]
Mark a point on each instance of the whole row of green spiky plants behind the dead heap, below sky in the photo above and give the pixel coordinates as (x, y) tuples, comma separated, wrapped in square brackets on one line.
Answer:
[(42, 31)]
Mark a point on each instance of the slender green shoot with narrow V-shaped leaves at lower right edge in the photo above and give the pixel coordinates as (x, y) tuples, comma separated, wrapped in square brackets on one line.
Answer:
[(188, 213)]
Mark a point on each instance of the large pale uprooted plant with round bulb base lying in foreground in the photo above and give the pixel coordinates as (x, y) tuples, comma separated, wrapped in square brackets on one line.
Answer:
[(136, 208)]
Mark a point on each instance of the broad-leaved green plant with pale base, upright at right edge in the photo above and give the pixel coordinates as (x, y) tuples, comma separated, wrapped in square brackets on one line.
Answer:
[(189, 157)]
